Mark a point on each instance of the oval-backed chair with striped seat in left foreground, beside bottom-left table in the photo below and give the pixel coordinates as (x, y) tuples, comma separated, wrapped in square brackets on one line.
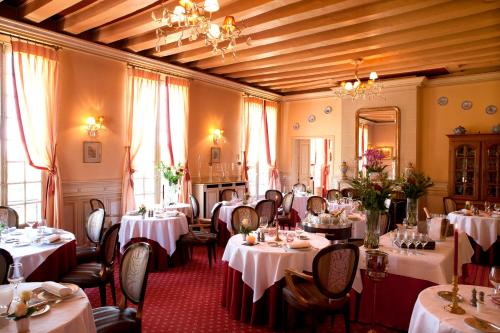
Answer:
[(133, 281)]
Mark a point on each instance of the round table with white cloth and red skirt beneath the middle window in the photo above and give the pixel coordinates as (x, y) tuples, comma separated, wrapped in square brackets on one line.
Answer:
[(161, 231)]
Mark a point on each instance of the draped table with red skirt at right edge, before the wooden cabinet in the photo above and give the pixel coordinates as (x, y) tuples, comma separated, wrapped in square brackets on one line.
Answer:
[(484, 231)]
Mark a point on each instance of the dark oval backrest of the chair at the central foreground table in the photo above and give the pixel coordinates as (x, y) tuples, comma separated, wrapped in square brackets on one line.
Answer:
[(334, 268)]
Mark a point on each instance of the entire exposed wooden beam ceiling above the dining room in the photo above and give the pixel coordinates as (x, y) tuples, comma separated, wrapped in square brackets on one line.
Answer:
[(297, 45)]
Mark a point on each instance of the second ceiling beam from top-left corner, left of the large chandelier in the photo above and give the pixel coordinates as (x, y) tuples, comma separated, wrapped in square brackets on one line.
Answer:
[(100, 13)]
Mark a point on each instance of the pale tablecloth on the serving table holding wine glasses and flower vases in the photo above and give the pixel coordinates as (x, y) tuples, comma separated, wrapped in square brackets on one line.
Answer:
[(430, 265)]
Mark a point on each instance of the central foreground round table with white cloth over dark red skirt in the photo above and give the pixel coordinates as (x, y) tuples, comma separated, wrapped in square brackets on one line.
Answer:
[(254, 276)]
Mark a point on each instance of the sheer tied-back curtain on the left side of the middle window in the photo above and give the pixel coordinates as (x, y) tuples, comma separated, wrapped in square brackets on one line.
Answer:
[(140, 125)]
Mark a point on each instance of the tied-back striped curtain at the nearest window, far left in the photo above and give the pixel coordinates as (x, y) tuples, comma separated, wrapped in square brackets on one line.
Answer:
[(36, 73)]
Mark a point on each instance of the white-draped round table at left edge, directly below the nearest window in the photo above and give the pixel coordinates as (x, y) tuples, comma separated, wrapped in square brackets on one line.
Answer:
[(41, 260)]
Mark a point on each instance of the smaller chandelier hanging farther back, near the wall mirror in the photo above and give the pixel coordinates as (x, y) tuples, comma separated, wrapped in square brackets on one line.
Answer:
[(357, 88)]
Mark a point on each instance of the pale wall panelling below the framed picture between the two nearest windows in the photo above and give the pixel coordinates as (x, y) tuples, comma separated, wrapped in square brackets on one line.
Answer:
[(76, 197)]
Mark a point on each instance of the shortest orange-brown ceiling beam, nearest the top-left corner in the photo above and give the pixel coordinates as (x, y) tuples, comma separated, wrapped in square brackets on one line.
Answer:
[(39, 10)]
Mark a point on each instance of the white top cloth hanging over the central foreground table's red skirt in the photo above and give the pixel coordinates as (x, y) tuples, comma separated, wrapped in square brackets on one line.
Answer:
[(262, 265)]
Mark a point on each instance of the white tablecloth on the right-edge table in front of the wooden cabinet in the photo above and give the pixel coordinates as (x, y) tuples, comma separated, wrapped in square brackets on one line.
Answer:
[(484, 230)]
